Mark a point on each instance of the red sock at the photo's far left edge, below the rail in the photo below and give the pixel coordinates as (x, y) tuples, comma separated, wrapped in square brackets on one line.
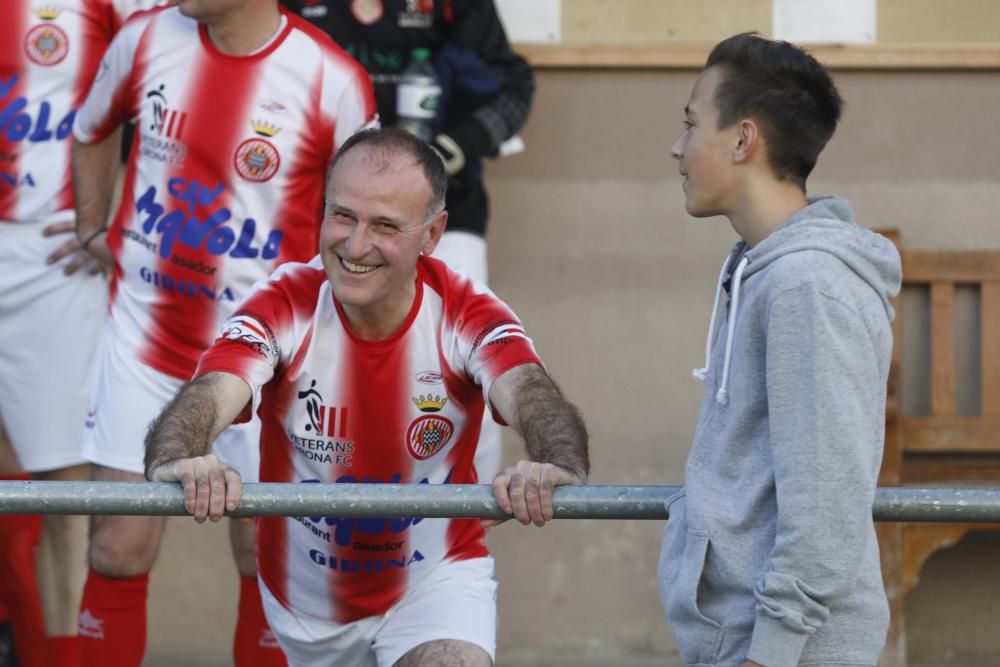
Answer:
[(19, 587)]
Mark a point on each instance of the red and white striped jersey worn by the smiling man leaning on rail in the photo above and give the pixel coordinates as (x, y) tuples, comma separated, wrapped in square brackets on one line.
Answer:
[(335, 408)]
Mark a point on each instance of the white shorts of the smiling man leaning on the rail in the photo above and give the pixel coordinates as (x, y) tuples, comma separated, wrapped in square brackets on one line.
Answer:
[(455, 601)]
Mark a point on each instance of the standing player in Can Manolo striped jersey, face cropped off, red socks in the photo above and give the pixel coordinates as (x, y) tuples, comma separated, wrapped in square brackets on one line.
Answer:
[(239, 108)]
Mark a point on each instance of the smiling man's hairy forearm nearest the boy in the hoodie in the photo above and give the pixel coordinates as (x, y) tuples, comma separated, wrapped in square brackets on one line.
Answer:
[(552, 427)]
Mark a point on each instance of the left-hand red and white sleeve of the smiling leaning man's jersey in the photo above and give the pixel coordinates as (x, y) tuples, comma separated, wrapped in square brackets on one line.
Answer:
[(253, 342)]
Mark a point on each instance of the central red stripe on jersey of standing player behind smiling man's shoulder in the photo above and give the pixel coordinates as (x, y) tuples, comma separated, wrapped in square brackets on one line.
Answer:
[(183, 325)]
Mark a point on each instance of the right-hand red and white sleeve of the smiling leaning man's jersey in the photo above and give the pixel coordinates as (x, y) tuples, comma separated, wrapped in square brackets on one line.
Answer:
[(483, 336)]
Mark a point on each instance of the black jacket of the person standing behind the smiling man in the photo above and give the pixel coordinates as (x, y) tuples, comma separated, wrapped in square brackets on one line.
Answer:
[(487, 89)]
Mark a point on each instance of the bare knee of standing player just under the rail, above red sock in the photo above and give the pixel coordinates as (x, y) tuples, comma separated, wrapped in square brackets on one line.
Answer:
[(124, 546)]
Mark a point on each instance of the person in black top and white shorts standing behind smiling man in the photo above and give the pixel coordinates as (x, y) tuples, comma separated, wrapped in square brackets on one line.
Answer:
[(444, 70)]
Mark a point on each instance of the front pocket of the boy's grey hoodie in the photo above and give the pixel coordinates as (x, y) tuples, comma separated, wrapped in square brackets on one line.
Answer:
[(699, 638)]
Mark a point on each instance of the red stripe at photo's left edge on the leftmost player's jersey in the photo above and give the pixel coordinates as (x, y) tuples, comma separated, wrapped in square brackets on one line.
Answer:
[(13, 70)]
